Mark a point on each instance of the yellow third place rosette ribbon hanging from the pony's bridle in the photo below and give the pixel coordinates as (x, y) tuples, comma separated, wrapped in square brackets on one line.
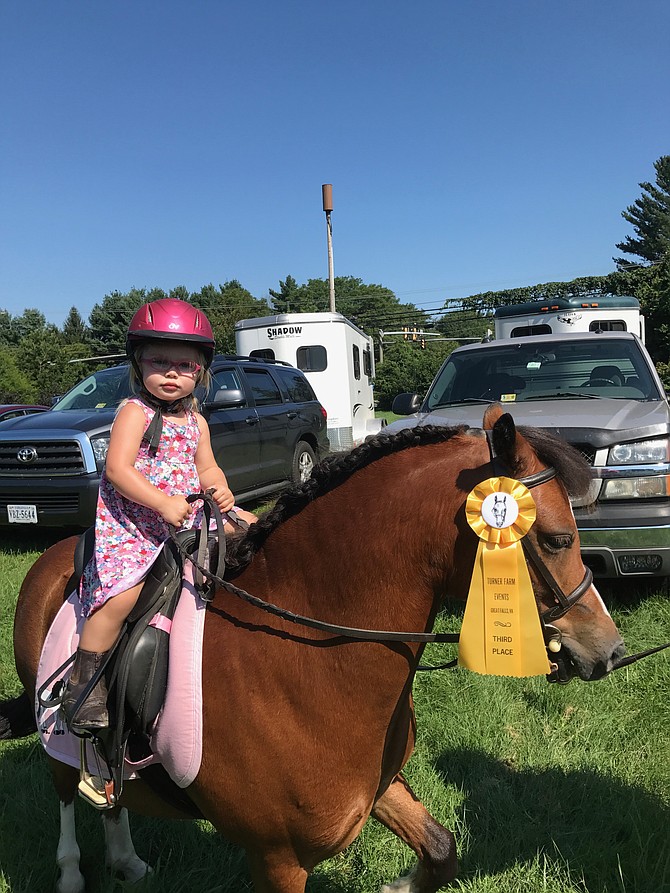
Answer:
[(501, 632)]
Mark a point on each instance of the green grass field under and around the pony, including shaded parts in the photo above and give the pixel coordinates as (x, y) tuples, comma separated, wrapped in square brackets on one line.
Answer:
[(548, 789)]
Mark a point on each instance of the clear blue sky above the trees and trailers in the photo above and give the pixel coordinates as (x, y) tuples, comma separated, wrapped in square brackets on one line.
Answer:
[(471, 146)]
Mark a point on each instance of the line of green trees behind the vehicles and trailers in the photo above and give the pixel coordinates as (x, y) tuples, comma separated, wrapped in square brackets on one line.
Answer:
[(39, 360)]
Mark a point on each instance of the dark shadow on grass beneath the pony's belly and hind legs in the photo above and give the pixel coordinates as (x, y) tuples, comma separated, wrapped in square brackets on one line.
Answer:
[(185, 855)]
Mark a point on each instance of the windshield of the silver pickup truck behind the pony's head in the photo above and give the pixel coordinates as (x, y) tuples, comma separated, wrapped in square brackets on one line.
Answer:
[(604, 368)]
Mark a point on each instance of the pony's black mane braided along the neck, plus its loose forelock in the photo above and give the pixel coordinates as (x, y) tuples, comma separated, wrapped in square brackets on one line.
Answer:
[(571, 467)]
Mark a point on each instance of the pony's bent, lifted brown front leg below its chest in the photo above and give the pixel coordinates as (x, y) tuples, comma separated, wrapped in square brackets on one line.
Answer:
[(400, 810)]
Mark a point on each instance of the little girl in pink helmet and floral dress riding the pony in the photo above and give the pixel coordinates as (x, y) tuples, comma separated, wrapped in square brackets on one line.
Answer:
[(159, 452)]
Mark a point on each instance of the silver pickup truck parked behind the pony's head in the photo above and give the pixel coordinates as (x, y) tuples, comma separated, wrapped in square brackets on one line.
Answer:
[(598, 391)]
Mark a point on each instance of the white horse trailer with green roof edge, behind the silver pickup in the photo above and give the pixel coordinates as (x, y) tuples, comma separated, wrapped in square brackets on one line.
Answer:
[(598, 313)]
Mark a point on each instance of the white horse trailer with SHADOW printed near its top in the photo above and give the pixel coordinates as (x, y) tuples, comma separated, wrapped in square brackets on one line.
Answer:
[(337, 359)]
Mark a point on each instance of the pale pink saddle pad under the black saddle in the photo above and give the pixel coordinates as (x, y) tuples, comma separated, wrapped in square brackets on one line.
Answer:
[(177, 734)]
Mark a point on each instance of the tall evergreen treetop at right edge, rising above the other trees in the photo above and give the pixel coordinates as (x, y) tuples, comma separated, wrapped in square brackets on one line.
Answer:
[(650, 218)]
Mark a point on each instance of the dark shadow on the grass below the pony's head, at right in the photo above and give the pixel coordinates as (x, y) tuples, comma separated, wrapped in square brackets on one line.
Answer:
[(610, 834)]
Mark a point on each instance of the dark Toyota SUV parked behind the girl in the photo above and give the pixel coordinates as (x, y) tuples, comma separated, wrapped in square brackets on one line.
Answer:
[(267, 428)]
